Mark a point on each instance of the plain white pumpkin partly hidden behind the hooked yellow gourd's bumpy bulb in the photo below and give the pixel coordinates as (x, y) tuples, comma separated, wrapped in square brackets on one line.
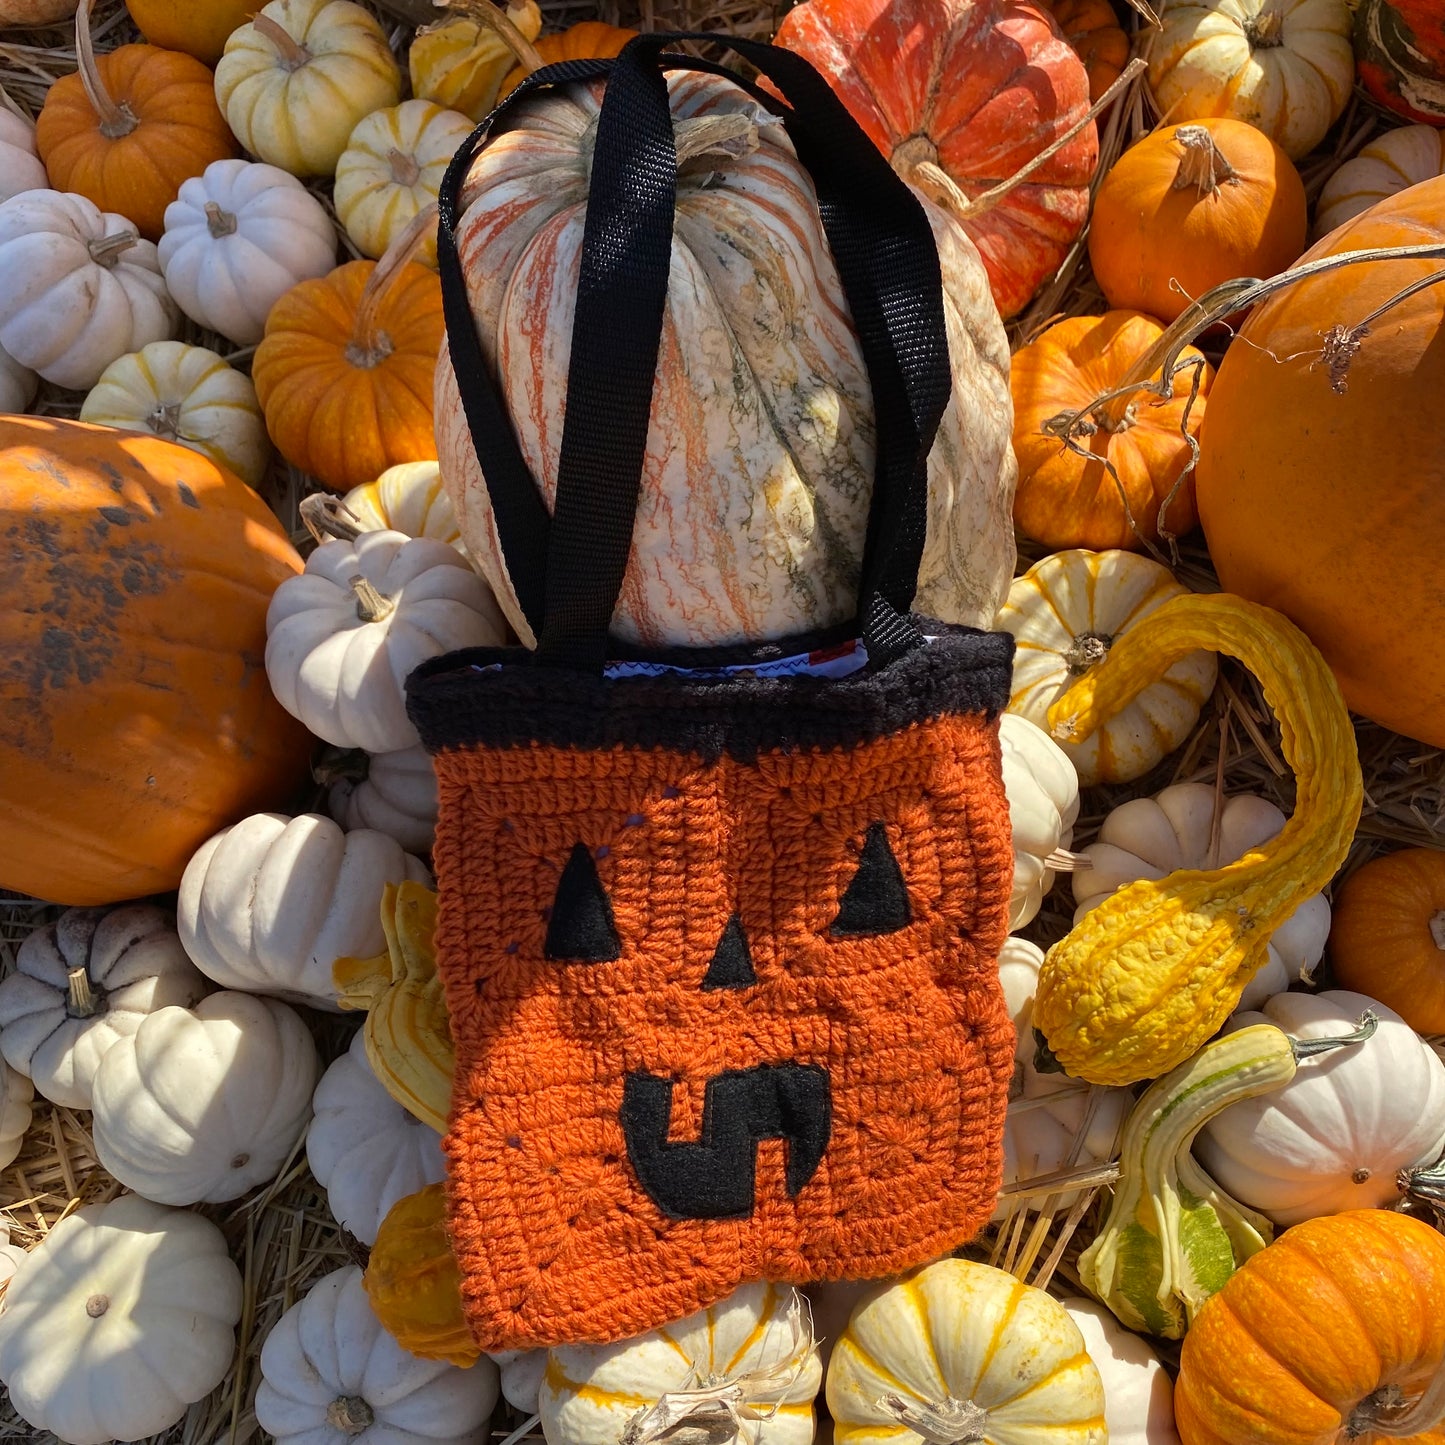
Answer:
[(1152, 837)]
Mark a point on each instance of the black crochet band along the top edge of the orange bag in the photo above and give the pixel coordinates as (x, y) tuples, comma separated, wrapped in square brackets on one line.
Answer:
[(456, 706)]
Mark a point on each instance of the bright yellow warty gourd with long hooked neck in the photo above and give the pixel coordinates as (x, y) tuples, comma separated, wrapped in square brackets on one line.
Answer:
[(1155, 970)]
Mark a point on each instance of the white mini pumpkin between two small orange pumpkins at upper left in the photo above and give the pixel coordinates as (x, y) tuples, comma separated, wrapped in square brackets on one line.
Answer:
[(238, 238)]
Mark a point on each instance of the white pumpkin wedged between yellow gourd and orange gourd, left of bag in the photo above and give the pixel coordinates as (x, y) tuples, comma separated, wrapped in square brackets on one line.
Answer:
[(363, 1148)]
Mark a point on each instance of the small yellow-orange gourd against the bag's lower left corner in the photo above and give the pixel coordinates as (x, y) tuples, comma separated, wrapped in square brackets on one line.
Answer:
[(414, 1282)]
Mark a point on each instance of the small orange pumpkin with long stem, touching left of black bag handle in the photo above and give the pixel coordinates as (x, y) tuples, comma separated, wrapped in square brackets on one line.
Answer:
[(345, 372)]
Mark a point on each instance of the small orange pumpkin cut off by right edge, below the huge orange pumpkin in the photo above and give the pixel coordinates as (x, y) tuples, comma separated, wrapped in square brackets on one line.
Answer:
[(1388, 936)]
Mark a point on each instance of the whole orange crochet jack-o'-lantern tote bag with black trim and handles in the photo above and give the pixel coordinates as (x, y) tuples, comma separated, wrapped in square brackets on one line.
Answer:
[(719, 933)]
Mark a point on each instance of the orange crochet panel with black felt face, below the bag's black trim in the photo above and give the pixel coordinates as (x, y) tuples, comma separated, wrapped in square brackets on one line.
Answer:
[(717, 1021)]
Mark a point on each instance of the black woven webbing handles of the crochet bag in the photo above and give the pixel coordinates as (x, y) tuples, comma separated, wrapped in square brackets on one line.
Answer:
[(569, 567)]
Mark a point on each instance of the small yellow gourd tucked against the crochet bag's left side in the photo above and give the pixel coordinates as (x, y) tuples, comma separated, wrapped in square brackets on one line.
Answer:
[(408, 1032)]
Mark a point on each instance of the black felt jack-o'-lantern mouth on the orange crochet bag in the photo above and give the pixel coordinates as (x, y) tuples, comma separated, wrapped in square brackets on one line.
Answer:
[(716, 1177)]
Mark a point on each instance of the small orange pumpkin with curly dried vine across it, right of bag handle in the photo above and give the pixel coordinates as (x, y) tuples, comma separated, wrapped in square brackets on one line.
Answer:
[(1067, 495)]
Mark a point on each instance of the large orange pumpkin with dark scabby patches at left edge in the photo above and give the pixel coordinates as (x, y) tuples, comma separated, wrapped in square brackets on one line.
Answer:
[(135, 715)]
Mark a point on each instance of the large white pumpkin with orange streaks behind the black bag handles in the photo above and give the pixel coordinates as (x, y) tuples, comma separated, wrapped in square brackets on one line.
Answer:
[(759, 465)]
